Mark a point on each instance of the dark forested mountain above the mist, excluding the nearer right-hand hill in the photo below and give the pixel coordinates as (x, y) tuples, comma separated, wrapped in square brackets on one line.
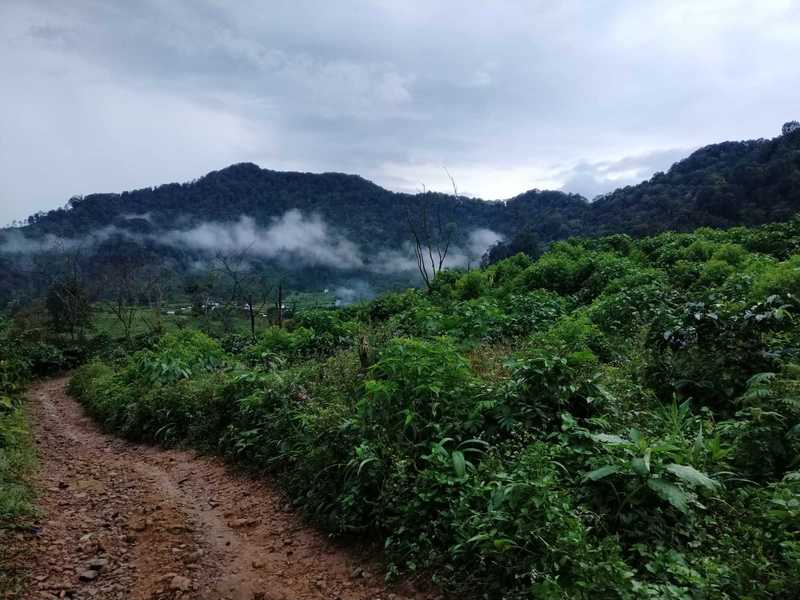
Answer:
[(366, 211)]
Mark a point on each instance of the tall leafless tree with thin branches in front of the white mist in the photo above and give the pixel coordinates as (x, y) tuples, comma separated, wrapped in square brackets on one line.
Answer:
[(431, 236)]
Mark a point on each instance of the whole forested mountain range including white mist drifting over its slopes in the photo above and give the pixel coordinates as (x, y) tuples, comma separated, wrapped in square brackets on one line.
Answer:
[(331, 226)]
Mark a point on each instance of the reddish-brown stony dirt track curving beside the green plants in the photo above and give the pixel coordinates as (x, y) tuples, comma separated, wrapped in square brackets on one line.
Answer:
[(127, 521)]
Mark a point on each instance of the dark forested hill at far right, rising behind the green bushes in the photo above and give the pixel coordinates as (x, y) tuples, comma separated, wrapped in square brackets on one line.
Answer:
[(721, 185)]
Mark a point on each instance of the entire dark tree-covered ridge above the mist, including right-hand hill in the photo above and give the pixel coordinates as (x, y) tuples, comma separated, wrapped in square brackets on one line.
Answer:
[(731, 183)]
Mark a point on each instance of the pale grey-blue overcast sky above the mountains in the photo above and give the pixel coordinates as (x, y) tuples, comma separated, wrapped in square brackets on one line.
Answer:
[(578, 95)]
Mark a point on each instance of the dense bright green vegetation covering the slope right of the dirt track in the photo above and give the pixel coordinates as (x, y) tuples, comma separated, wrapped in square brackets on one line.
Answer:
[(619, 418)]
